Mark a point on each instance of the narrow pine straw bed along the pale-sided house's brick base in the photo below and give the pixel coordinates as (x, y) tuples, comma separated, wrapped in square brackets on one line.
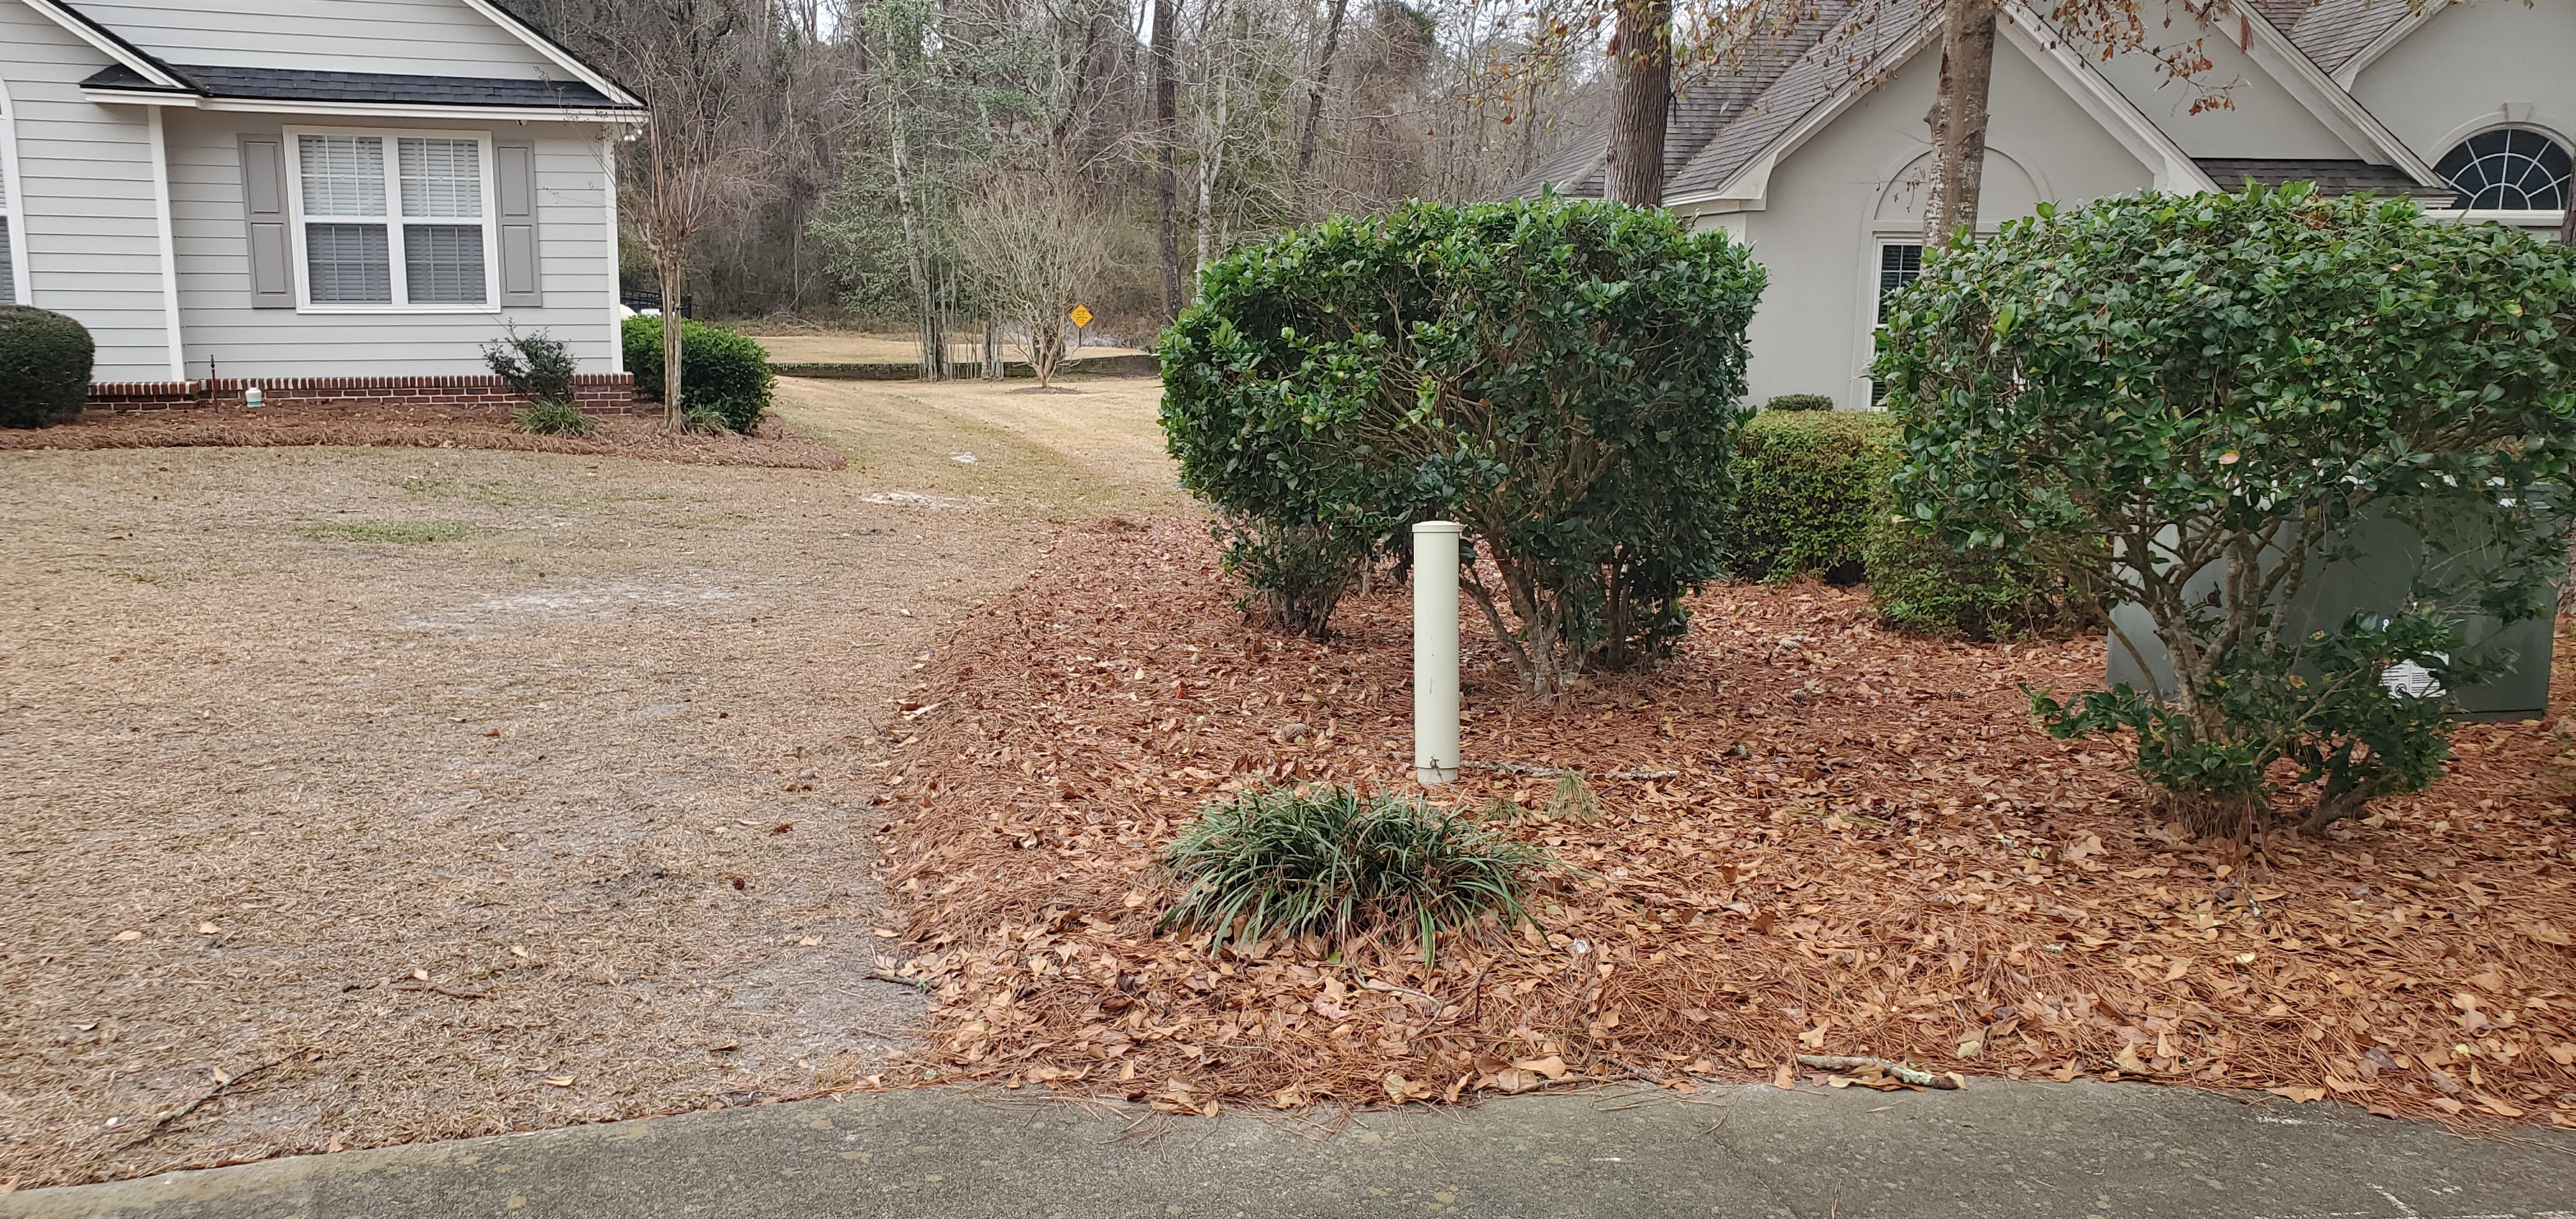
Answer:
[(393, 427)]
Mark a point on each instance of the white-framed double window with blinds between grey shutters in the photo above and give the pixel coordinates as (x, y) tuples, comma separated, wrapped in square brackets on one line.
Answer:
[(393, 220)]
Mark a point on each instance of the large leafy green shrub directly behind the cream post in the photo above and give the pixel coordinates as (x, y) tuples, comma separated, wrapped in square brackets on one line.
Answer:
[(1560, 378)]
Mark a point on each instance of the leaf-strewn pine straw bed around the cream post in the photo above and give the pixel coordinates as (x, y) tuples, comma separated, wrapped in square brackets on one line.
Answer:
[(1853, 844)]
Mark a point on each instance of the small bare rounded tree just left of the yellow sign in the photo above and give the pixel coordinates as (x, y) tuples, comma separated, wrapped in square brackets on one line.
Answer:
[(1034, 251)]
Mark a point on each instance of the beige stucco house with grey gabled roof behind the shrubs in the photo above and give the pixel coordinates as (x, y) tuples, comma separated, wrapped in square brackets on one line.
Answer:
[(1812, 148)]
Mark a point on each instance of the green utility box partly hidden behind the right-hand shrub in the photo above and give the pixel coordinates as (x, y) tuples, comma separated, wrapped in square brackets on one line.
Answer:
[(2389, 561)]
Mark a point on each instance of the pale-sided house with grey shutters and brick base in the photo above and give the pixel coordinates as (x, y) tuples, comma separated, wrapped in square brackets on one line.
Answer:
[(305, 189)]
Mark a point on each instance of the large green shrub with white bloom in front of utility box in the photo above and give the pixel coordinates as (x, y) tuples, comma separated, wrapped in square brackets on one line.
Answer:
[(2219, 388)]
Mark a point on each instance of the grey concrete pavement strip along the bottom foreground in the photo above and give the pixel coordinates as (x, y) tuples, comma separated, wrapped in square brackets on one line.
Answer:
[(1990, 1151)]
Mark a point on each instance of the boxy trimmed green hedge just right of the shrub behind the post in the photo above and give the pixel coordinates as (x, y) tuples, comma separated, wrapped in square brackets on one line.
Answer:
[(1807, 491)]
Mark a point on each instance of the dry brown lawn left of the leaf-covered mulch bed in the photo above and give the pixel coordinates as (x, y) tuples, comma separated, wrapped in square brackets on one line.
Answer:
[(447, 792)]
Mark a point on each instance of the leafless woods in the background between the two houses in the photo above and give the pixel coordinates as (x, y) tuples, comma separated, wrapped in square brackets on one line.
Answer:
[(836, 151)]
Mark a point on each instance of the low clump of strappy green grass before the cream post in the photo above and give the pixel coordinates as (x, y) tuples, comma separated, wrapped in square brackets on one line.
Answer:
[(1333, 862)]
